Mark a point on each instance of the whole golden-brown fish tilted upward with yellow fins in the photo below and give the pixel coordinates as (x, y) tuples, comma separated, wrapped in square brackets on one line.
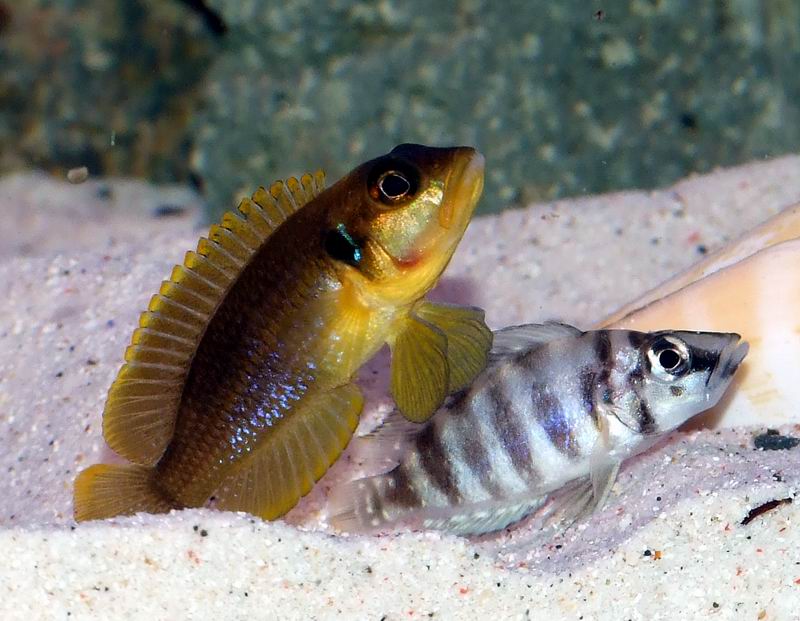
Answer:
[(238, 383)]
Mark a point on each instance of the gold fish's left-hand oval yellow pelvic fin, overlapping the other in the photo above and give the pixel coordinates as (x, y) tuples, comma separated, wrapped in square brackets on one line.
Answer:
[(420, 378)]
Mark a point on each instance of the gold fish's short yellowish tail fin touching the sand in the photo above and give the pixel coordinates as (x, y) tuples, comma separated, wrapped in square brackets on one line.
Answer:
[(104, 491)]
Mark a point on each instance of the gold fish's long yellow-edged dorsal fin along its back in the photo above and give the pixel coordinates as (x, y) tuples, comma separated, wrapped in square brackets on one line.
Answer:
[(142, 404)]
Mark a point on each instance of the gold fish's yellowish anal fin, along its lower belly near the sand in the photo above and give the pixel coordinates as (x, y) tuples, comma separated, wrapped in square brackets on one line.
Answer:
[(298, 452)]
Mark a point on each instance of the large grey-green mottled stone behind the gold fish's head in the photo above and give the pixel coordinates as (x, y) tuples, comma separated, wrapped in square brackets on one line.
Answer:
[(562, 99)]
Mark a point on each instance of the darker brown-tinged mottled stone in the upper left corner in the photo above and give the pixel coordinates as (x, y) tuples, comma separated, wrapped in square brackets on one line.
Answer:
[(106, 84)]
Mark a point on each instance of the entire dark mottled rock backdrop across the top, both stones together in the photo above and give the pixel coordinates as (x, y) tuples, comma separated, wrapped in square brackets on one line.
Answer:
[(565, 99)]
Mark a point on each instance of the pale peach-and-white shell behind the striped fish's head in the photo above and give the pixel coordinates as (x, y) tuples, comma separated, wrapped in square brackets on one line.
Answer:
[(752, 286)]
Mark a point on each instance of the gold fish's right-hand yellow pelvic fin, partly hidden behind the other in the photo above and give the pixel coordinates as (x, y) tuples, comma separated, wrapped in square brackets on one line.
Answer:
[(468, 339)]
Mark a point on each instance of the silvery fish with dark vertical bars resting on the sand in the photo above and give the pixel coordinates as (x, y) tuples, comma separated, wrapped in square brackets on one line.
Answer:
[(554, 406)]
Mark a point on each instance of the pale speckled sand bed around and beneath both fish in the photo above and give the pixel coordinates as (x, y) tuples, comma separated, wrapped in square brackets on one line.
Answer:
[(670, 544)]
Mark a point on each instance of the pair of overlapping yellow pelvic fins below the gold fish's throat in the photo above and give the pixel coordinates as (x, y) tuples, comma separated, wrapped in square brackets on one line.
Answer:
[(439, 350)]
